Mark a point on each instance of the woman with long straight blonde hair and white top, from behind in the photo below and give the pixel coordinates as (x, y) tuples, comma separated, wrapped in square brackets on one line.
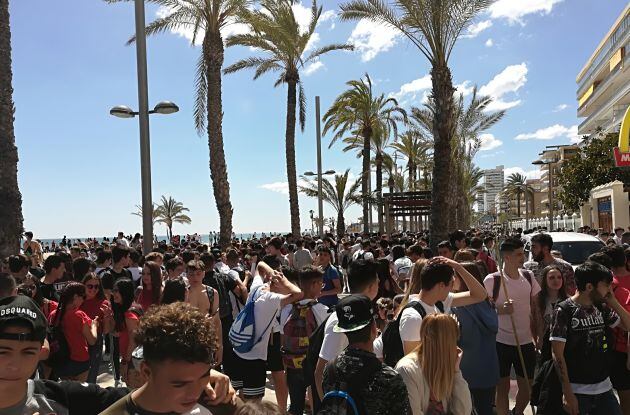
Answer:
[(431, 372)]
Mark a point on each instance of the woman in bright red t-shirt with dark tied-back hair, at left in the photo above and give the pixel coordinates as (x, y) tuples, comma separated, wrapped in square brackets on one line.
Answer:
[(78, 329)]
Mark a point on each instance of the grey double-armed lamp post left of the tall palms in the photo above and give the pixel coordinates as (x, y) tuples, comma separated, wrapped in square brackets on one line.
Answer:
[(122, 111)]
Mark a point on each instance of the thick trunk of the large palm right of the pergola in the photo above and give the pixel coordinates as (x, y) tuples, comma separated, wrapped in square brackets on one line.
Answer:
[(443, 127)]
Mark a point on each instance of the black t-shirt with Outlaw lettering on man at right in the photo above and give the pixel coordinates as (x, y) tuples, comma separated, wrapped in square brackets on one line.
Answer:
[(584, 330)]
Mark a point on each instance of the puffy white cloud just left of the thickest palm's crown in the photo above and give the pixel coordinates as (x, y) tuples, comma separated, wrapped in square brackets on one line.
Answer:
[(370, 39)]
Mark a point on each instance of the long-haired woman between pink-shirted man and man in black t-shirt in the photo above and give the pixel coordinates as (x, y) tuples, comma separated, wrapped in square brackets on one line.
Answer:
[(552, 292)]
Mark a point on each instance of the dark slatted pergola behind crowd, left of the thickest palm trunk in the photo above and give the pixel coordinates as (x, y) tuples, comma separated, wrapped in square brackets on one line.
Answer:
[(406, 204)]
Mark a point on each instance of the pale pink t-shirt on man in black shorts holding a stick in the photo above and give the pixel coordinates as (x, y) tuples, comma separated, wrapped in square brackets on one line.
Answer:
[(520, 292)]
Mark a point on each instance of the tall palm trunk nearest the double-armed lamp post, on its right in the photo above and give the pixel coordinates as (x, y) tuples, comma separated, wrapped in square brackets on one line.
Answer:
[(213, 54)]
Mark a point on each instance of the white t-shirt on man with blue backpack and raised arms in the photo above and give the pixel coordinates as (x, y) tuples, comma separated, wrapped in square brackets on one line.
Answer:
[(267, 309)]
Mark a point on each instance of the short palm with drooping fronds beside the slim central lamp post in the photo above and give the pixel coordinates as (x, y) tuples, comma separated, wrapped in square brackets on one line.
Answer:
[(340, 195)]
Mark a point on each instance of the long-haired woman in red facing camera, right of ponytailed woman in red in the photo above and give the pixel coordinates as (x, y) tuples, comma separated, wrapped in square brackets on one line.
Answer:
[(96, 306)]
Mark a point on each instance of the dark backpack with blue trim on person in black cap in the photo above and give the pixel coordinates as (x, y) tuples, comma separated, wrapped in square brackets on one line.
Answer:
[(345, 398)]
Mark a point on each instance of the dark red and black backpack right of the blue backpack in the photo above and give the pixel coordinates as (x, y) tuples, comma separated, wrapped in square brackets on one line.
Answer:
[(297, 330)]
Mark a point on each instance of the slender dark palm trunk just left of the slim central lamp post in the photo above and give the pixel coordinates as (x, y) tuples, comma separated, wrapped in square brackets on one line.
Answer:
[(290, 155)]
